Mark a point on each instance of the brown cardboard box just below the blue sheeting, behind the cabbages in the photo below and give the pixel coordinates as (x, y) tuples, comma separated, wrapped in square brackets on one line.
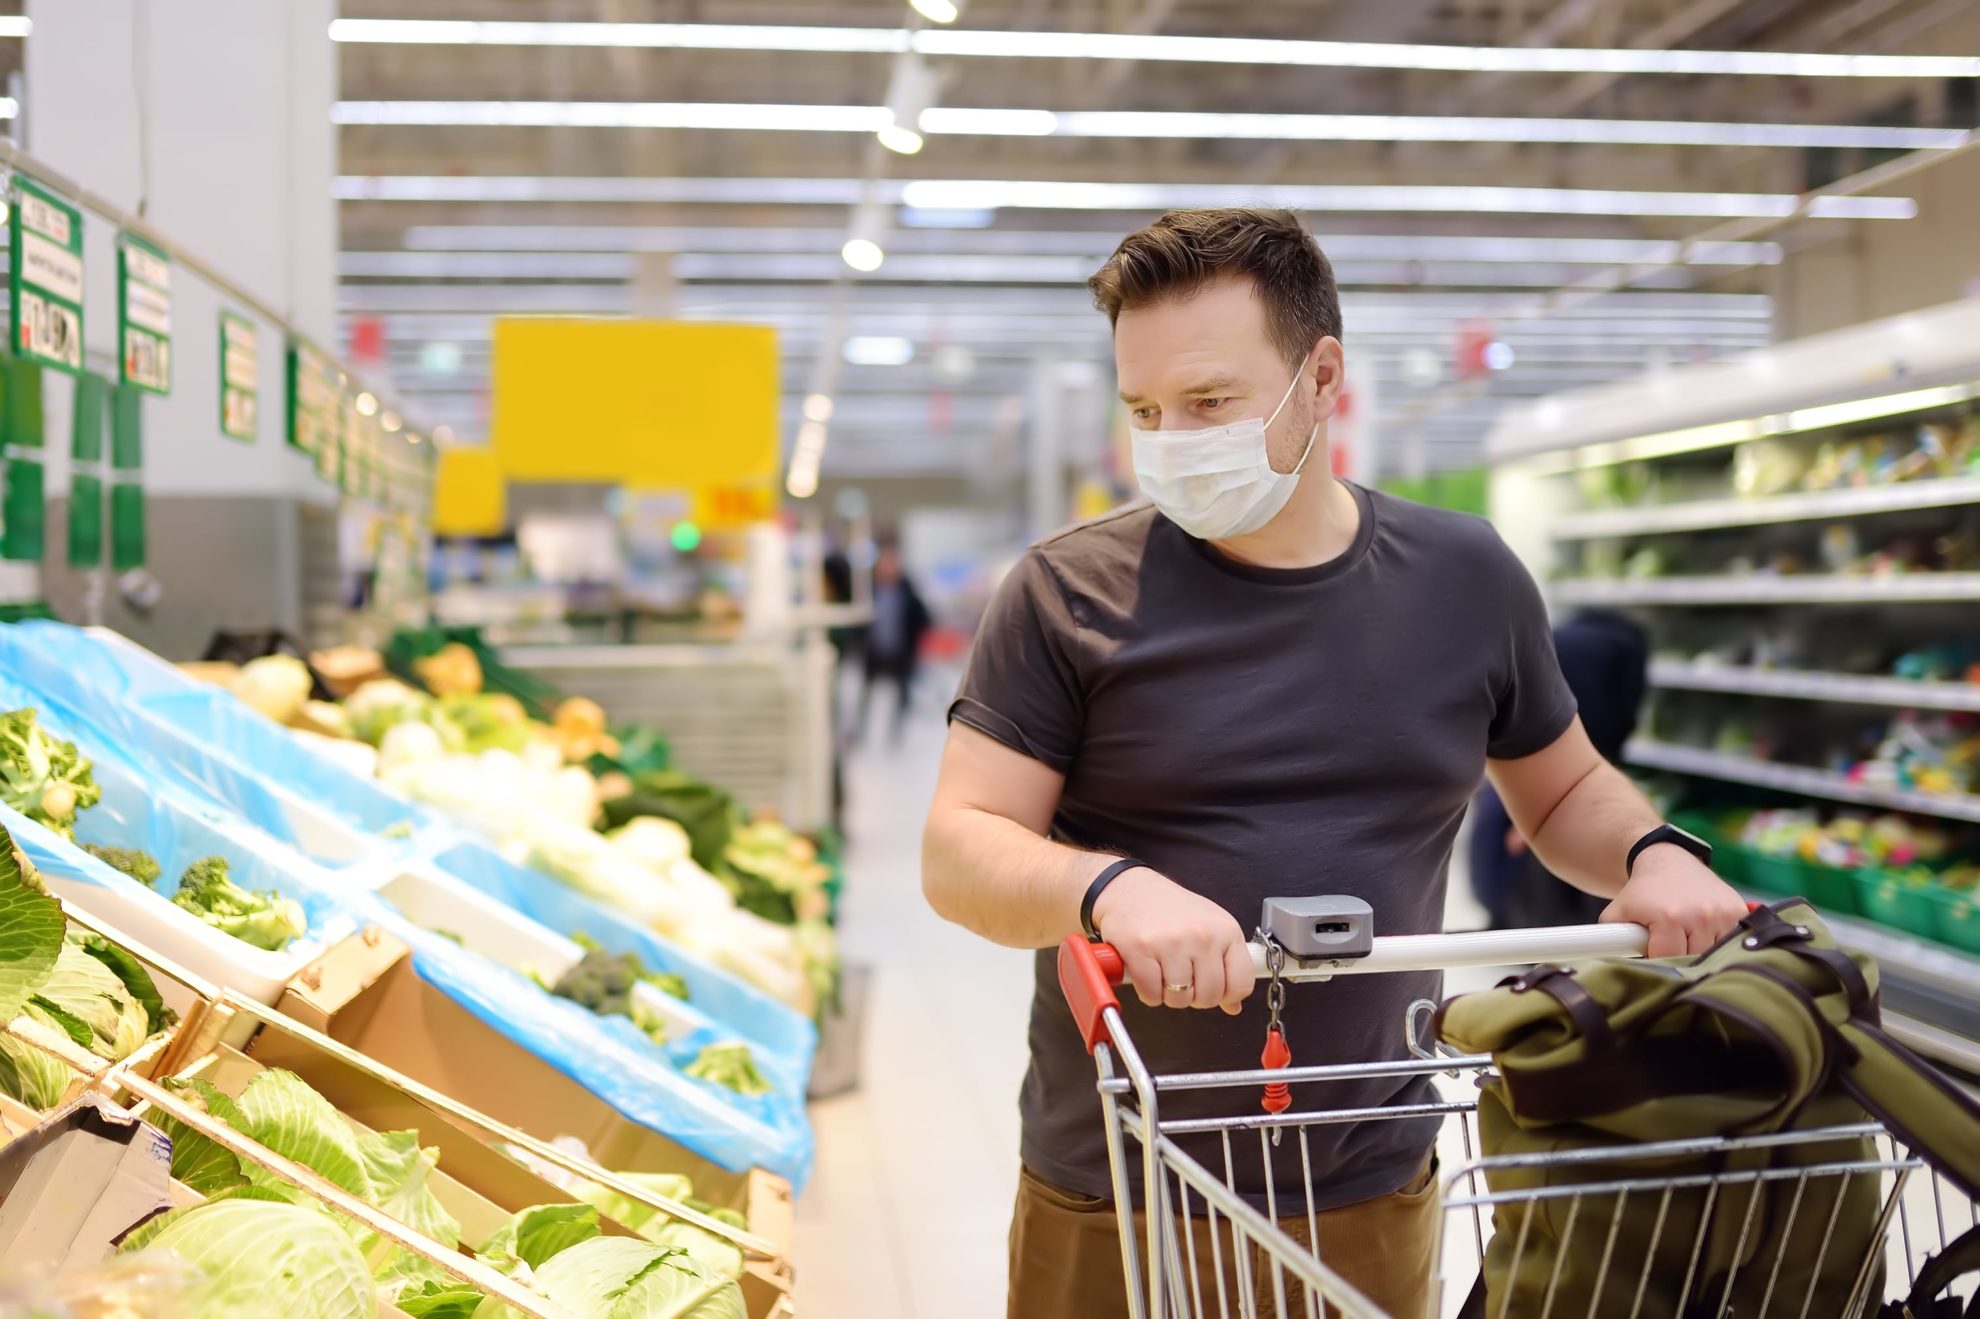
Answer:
[(383, 1047)]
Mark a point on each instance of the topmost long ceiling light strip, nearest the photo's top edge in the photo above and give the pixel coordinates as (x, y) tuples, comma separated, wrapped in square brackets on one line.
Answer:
[(1139, 47)]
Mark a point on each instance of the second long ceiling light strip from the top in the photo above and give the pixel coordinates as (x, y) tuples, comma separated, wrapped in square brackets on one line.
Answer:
[(916, 118)]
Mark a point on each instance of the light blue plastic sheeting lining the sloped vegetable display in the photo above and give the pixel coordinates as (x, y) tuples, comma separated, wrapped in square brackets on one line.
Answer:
[(144, 722)]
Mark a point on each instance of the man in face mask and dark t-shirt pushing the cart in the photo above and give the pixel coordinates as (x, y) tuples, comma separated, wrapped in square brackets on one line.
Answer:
[(1266, 684)]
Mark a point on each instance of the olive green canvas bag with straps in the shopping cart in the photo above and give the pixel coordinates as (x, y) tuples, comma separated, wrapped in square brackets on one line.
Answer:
[(1773, 1031)]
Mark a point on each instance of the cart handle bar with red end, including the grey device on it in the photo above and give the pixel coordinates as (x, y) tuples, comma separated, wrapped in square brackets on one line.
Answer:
[(1328, 938)]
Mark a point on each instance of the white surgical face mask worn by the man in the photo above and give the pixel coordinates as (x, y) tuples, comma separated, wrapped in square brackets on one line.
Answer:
[(1219, 482)]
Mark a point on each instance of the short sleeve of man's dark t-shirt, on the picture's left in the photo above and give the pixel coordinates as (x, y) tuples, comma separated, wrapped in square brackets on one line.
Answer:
[(1023, 682)]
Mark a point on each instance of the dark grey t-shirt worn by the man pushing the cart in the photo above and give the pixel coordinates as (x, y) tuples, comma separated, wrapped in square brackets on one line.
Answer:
[(1258, 734)]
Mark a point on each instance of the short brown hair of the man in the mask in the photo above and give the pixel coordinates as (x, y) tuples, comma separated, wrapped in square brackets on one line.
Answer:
[(1185, 251)]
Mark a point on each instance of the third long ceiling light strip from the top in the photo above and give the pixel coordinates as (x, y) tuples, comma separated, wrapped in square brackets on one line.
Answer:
[(1058, 195)]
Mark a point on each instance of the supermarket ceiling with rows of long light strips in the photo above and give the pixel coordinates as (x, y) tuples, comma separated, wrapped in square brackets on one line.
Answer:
[(450, 225)]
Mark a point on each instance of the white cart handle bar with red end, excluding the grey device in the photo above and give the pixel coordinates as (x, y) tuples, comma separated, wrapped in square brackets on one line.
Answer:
[(1088, 971)]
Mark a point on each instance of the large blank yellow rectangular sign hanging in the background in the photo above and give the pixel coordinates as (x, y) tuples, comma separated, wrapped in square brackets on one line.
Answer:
[(680, 405)]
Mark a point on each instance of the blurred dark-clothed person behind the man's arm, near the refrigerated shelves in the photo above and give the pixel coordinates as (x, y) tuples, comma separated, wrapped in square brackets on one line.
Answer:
[(1607, 662)]
